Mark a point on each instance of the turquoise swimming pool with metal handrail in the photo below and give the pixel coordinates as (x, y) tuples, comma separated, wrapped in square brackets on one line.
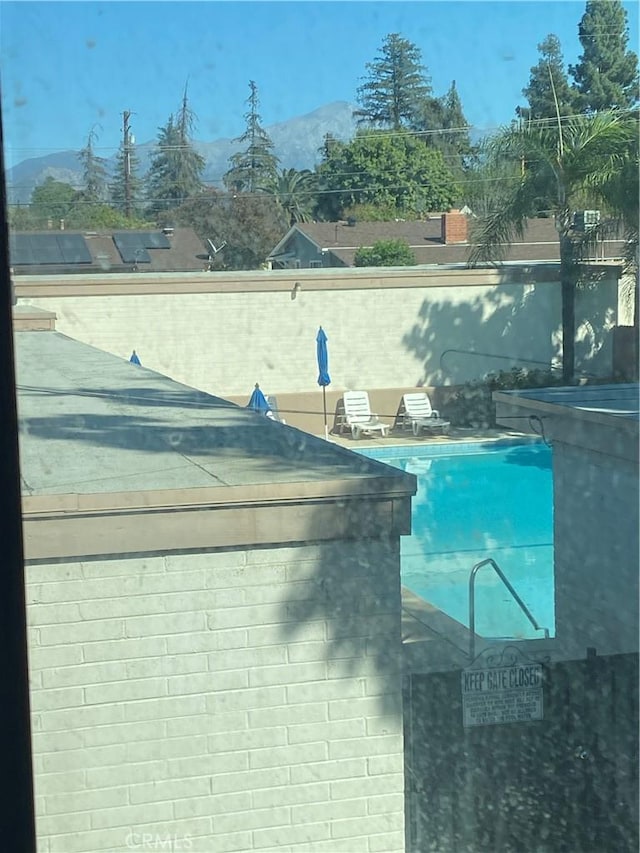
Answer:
[(477, 500)]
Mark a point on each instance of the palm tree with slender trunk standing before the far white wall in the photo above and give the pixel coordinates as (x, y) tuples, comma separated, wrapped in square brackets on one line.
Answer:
[(564, 161)]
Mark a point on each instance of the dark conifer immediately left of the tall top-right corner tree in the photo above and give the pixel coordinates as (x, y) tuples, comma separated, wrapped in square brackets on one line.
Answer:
[(548, 85)]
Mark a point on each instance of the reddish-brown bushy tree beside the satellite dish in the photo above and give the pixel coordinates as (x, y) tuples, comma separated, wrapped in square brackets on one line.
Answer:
[(251, 225)]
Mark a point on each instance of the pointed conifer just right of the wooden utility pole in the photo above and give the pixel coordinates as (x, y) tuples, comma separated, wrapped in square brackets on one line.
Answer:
[(175, 173)]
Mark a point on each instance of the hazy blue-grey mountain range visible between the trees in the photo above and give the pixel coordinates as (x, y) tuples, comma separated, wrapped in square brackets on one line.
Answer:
[(296, 143)]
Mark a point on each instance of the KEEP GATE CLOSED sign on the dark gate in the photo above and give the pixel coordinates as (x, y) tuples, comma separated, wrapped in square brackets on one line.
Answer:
[(502, 694)]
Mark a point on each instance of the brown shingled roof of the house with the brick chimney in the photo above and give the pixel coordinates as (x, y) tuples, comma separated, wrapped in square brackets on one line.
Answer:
[(539, 243)]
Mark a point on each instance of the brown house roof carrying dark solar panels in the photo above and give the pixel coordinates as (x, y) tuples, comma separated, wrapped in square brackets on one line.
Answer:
[(69, 252)]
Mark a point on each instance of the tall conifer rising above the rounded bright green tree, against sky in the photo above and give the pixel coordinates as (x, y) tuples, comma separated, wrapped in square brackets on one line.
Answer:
[(394, 93)]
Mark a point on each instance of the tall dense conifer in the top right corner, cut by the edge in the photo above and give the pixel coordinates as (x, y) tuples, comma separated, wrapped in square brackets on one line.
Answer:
[(606, 74)]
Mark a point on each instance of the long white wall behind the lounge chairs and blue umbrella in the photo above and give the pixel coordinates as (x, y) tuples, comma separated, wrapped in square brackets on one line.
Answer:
[(382, 337)]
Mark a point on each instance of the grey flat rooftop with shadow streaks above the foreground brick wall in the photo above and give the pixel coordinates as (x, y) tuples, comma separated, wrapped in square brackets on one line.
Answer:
[(91, 422)]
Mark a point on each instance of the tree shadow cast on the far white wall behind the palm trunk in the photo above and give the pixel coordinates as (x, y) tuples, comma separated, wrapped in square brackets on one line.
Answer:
[(508, 326)]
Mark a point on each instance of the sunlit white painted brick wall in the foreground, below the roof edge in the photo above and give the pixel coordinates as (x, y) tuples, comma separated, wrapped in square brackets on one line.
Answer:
[(244, 701)]
